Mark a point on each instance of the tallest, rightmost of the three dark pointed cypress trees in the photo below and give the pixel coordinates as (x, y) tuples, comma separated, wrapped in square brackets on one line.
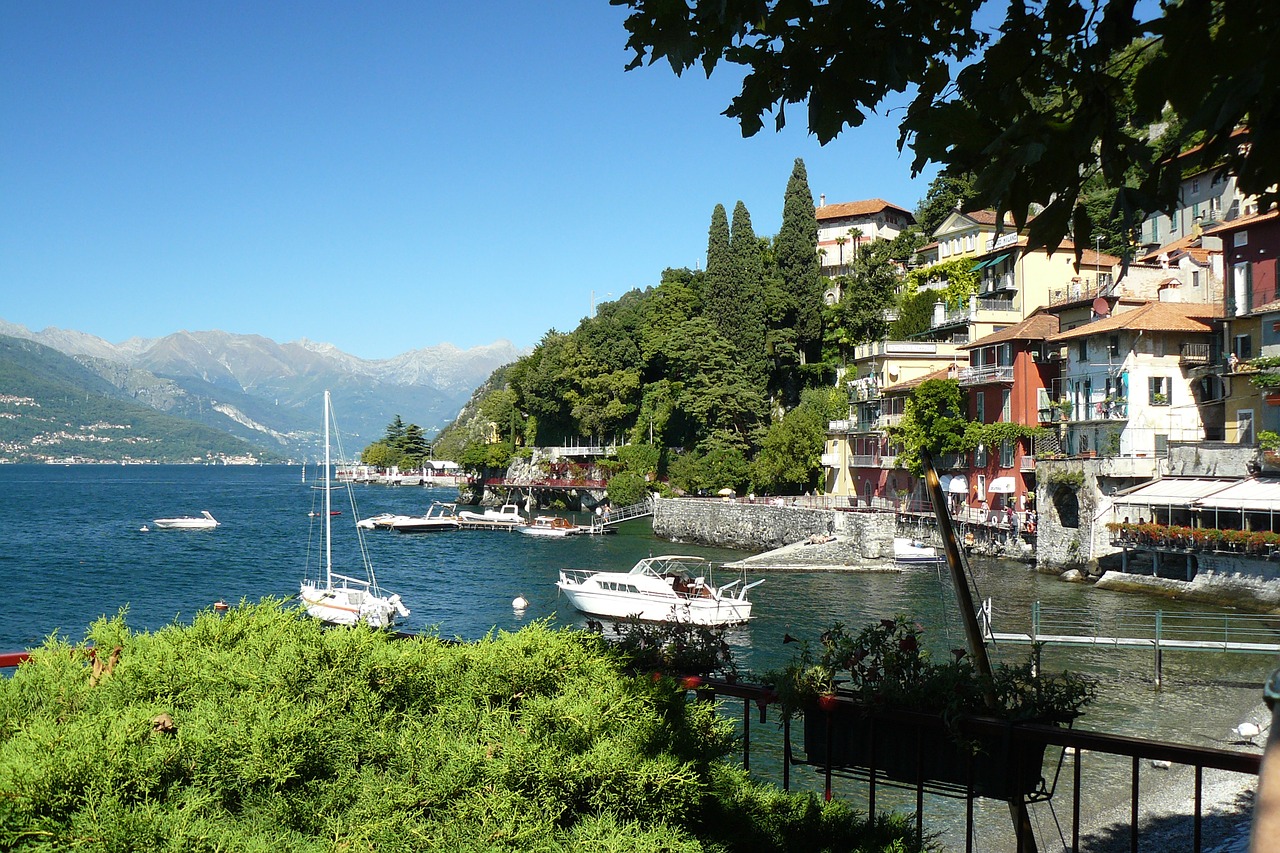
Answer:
[(797, 253)]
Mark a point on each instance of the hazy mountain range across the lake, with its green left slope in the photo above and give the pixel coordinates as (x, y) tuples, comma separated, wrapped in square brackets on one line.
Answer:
[(249, 387)]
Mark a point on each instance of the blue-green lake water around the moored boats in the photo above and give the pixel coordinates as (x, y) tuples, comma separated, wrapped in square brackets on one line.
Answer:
[(71, 550)]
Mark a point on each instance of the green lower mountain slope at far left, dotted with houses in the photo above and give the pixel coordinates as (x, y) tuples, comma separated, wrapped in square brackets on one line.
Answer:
[(53, 408)]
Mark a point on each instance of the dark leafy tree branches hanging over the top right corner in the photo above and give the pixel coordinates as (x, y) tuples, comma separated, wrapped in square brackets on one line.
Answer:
[(1062, 93)]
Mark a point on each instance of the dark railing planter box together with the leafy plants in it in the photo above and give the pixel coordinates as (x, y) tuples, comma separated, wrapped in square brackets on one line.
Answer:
[(877, 700)]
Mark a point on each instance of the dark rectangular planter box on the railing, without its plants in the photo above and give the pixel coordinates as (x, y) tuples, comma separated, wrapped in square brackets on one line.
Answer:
[(918, 749)]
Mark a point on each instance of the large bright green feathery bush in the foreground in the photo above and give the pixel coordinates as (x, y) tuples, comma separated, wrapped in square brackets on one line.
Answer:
[(259, 731)]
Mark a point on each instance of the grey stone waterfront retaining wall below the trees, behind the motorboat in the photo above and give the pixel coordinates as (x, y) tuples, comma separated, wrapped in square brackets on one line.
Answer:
[(761, 527)]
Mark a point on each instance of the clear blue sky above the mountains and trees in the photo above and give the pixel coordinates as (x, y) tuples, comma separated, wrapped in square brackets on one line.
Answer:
[(382, 177)]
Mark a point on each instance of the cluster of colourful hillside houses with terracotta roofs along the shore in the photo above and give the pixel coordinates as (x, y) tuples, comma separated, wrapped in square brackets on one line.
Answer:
[(1145, 390)]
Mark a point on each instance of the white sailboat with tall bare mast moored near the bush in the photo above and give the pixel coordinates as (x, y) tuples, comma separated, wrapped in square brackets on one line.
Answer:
[(341, 600)]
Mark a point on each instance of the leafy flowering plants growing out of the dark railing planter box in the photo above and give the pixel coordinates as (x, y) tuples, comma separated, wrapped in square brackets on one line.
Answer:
[(886, 665)]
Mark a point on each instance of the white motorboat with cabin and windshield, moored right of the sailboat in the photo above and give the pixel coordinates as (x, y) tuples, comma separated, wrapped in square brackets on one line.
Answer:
[(659, 590)]
